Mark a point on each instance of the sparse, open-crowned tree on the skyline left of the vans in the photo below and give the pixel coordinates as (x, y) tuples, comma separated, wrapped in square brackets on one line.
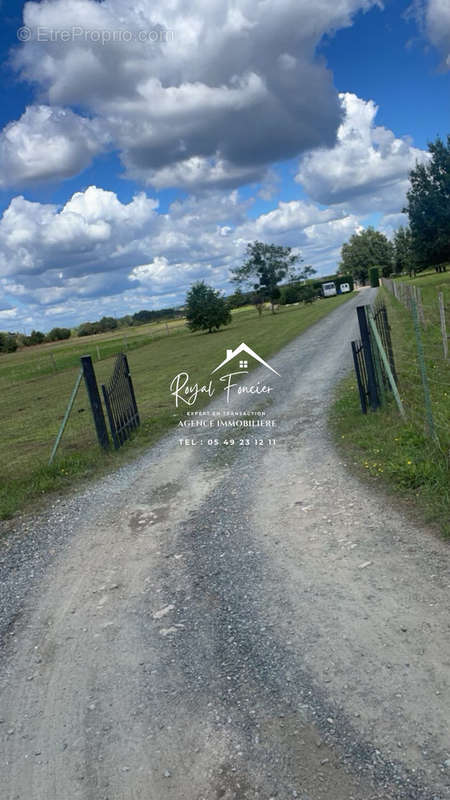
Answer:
[(266, 265)]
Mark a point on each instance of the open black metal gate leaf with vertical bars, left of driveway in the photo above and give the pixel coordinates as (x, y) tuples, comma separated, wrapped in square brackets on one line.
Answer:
[(120, 402)]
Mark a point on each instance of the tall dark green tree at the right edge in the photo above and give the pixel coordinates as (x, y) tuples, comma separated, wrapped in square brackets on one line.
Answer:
[(429, 207)]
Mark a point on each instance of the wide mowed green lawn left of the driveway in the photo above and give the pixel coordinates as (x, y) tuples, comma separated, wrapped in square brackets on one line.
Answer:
[(32, 409)]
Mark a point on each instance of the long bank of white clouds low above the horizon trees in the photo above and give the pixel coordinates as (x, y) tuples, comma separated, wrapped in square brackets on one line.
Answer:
[(97, 255)]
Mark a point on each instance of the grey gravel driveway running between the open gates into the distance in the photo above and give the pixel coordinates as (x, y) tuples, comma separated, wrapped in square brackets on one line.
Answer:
[(229, 621)]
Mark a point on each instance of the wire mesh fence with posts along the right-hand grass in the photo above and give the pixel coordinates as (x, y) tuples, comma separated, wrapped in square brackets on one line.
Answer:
[(420, 330)]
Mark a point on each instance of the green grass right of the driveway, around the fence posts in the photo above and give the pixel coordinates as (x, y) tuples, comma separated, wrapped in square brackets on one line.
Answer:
[(402, 458)]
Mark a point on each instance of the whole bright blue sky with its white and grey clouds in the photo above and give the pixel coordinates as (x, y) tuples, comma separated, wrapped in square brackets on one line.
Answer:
[(128, 169)]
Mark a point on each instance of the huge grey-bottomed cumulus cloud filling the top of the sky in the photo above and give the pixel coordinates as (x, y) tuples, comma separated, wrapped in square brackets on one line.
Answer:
[(222, 90)]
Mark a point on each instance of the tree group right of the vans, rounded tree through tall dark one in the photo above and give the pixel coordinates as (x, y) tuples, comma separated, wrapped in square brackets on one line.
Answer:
[(425, 242)]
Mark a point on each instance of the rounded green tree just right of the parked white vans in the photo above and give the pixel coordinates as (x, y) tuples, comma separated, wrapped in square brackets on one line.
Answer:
[(366, 249)]
